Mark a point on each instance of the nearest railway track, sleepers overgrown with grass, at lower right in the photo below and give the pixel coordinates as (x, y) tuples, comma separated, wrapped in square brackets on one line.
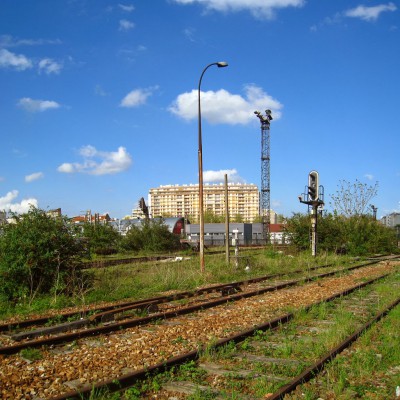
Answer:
[(270, 357)]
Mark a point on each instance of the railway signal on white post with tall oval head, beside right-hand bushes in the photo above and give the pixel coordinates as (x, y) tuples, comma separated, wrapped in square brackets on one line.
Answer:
[(314, 197)]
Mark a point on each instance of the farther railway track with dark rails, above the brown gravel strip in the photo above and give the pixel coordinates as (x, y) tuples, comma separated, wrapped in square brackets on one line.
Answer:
[(115, 318)]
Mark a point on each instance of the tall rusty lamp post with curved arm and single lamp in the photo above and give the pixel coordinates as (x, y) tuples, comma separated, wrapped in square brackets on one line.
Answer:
[(220, 64)]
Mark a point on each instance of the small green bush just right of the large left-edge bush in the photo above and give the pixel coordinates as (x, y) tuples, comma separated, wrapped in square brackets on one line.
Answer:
[(102, 238)]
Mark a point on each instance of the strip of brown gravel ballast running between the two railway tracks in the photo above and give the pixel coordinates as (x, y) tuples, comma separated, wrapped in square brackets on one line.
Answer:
[(139, 348)]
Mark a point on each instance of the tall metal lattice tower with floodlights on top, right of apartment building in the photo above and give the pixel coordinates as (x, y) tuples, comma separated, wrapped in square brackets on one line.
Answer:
[(265, 205)]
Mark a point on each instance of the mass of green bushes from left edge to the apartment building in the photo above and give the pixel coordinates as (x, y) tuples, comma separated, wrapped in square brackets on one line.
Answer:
[(42, 256)]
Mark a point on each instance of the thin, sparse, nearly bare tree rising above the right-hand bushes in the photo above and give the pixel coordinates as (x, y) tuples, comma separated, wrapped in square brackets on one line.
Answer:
[(353, 198)]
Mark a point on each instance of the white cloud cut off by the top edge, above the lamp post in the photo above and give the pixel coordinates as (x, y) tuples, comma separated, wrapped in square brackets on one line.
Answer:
[(259, 8)]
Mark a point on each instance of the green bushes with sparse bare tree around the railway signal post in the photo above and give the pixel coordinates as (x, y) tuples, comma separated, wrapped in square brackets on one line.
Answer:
[(349, 228)]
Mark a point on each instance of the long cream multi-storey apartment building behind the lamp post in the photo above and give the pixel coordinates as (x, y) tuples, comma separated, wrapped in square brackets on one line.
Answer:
[(183, 200)]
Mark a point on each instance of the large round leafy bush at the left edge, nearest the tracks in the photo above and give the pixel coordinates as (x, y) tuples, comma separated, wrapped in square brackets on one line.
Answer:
[(39, 254)]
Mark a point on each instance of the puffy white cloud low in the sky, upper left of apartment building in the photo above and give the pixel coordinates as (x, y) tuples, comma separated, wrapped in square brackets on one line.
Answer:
[(99, 162)]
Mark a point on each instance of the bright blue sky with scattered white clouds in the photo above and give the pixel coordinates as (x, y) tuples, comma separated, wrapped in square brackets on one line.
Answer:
[(98, 99)]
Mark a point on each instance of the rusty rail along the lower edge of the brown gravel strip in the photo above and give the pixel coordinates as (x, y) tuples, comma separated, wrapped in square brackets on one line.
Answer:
[(127, 380)]
